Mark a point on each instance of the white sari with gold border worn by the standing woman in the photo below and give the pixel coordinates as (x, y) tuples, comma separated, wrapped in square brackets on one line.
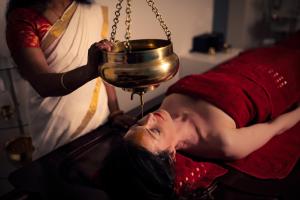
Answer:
[(54, 121)]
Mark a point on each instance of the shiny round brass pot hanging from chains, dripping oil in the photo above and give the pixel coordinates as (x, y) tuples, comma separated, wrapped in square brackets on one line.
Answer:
[(142, 67)]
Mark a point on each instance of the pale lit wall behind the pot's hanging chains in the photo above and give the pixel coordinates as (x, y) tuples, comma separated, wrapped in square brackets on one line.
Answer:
[(185, 19)]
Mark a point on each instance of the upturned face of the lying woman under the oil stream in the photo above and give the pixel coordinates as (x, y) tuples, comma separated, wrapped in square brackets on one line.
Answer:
[(155, 132)]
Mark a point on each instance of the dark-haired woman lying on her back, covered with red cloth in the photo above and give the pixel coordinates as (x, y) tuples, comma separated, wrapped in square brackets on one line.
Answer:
[(226, 113)]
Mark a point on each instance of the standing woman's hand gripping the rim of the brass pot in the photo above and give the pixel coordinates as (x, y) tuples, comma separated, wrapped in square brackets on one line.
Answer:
[(95, 54)]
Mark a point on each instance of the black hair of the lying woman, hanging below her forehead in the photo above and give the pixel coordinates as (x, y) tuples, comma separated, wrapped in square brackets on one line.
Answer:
[(132, 172)]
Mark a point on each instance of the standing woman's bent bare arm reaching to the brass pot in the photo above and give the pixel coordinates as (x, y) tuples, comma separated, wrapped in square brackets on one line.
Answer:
[(33, 67)]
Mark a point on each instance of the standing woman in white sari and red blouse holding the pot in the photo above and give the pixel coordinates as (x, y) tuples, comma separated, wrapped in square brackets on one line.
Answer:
[(52, 42)]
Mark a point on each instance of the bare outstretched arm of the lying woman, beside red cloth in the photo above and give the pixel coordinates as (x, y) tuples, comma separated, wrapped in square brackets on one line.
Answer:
[(238, 143)]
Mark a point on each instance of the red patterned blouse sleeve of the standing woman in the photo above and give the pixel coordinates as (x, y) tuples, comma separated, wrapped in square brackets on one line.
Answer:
[(25, 28)]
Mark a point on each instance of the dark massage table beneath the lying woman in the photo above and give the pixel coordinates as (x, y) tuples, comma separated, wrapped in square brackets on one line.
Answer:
[(66, 173)]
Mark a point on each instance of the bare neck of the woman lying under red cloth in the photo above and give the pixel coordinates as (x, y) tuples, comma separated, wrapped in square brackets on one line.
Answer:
[(186, 134)]
